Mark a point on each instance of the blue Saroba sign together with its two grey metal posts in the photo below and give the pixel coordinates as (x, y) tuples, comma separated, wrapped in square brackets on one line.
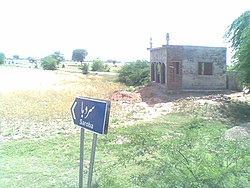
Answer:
[(93, 115)]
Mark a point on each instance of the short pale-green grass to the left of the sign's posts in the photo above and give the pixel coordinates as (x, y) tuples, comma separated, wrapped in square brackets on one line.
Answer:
[(40, 163)]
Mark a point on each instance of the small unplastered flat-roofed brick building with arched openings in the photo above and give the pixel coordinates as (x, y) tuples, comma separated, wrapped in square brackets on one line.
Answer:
[(189, 67)]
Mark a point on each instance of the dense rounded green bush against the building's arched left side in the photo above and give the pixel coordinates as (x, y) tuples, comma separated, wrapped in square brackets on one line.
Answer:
[(135, 73)]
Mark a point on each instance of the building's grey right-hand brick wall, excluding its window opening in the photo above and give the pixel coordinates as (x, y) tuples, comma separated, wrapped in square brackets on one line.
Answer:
[(192, 56)]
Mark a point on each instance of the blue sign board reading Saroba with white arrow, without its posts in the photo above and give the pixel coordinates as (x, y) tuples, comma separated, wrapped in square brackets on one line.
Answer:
[(91, 114)]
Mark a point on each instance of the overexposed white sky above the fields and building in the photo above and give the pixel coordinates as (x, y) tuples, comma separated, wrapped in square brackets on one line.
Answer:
[(112, 29)]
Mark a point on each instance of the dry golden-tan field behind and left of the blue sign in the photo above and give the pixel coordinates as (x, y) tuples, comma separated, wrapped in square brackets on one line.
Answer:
[(31, 111)]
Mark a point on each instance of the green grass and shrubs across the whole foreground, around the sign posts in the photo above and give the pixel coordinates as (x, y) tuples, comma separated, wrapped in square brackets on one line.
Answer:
[(134, 156)]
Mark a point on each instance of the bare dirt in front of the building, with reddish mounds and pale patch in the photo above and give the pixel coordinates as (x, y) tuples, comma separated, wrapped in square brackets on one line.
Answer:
[(155, 99)]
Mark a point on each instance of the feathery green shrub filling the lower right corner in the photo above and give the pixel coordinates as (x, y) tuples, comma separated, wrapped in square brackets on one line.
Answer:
[(200, 157)]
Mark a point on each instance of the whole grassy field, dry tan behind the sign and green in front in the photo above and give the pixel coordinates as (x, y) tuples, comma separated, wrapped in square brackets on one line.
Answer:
[(40, 146)]
